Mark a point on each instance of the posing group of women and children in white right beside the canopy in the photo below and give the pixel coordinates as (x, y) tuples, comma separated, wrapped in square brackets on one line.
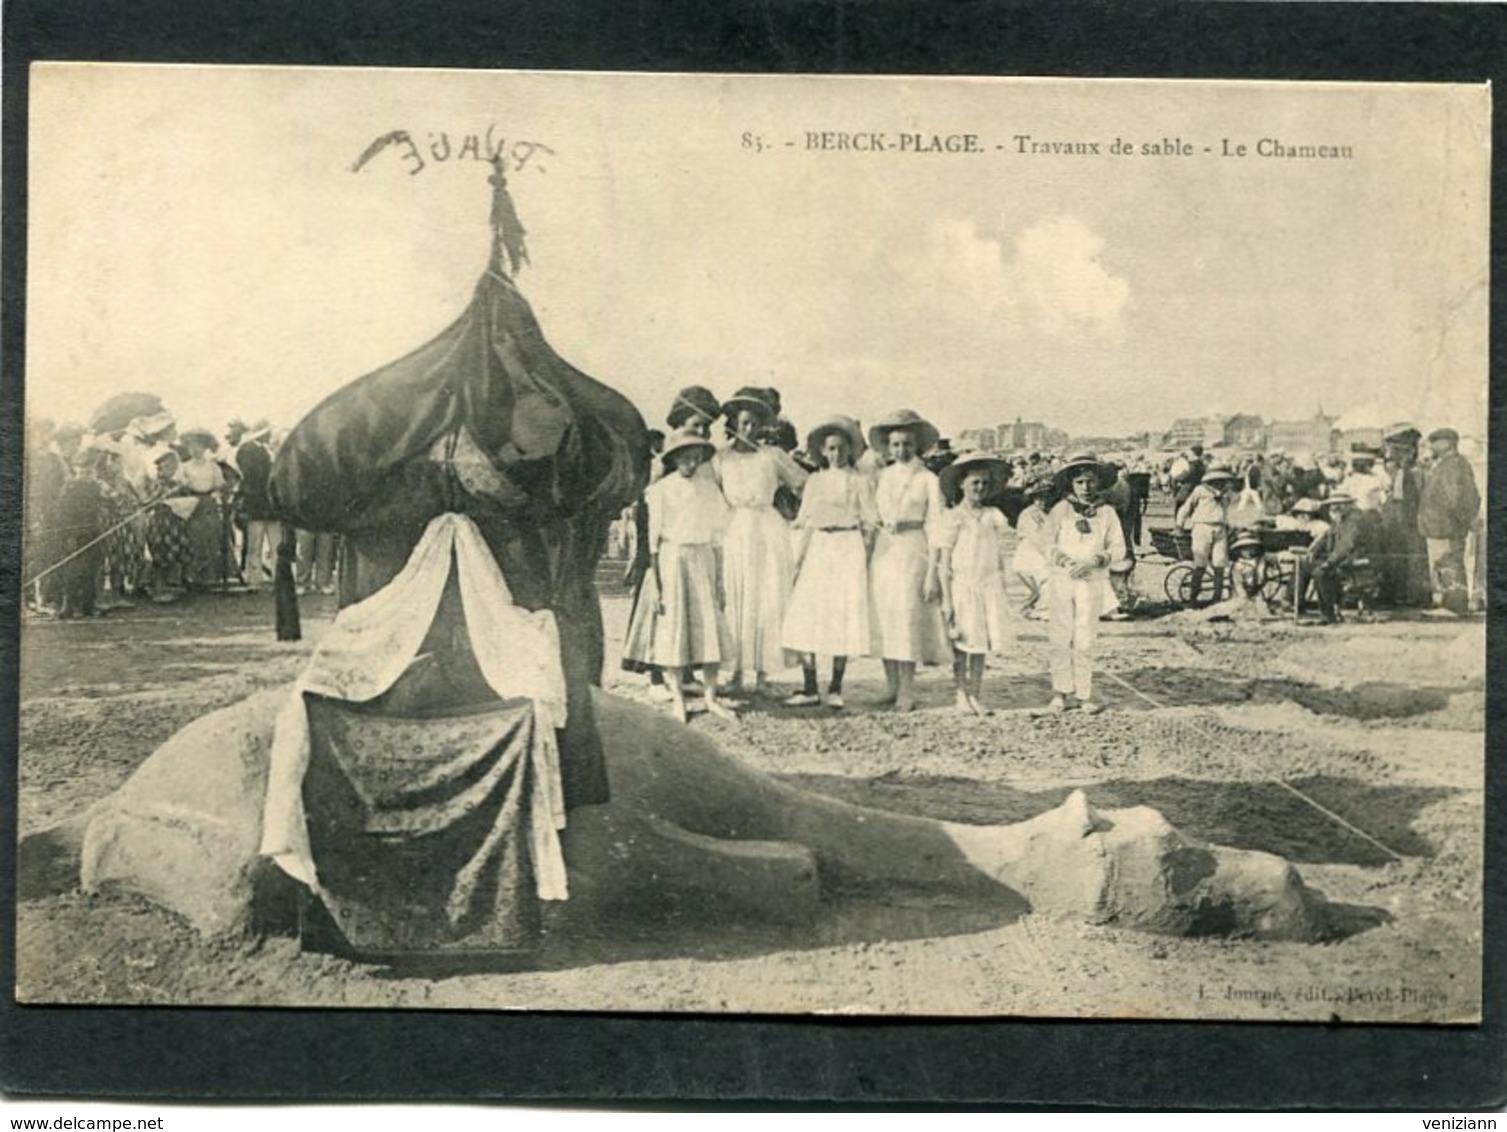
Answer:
[(762, 554)]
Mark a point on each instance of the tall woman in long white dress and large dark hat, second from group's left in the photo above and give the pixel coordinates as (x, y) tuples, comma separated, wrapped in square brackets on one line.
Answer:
[(757, 568)]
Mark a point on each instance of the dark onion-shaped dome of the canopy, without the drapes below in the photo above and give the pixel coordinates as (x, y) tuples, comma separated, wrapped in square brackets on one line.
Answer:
[(561, 442)]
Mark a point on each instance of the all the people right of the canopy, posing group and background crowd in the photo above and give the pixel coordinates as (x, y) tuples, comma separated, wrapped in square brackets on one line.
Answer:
[(754, 552)]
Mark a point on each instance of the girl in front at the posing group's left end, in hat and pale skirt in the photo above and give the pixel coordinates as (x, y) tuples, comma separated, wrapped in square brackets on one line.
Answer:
[(679, 620)]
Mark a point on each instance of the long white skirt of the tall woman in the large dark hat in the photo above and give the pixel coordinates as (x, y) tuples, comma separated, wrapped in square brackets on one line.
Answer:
[(757, 577)]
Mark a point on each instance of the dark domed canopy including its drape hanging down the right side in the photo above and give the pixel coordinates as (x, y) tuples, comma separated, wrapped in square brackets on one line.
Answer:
[(491, 423)]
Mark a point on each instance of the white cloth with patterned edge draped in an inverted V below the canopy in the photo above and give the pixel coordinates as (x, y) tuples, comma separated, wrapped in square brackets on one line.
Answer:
[(371, 644)]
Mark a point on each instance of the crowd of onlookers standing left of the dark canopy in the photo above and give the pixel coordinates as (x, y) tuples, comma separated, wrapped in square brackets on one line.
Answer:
[(147, 512)]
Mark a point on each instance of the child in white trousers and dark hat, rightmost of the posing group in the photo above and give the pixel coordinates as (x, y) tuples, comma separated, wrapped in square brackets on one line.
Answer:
[(1084, 540)]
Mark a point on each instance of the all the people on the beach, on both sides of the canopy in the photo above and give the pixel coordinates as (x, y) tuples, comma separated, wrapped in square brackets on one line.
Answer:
[(756, 551)]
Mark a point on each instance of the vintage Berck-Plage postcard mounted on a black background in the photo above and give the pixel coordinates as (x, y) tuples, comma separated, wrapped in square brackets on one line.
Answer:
[(754, 545)]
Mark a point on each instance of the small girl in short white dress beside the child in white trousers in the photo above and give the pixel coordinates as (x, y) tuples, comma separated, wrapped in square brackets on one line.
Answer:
[(973, 572)]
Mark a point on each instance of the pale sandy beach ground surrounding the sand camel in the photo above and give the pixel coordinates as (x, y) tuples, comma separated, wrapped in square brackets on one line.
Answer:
[(1380, 724)]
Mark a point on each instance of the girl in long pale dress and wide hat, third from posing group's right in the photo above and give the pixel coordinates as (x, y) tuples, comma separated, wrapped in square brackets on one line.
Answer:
[(905, 587)]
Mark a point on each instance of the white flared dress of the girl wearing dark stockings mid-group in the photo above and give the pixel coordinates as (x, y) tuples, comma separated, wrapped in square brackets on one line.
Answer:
[(828, 611)]
